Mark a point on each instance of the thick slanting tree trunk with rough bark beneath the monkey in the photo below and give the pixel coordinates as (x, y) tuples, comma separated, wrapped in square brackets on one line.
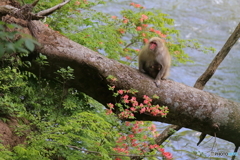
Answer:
[(189, 107)]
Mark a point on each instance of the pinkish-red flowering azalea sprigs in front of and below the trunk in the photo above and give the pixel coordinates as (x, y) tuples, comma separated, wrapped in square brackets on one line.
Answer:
[(137, 140)]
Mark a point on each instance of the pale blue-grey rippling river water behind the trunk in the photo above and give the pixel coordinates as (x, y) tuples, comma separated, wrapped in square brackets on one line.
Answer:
[(211, 22)]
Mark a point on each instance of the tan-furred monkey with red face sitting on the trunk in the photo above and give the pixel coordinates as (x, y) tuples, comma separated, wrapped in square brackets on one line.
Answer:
[(154, 60)]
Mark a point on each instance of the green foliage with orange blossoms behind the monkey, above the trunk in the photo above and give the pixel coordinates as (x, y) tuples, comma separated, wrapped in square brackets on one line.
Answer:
[(119, 37)]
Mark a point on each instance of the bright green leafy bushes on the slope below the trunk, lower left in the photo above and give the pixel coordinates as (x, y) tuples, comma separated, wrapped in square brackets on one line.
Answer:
[(58, 126)]
